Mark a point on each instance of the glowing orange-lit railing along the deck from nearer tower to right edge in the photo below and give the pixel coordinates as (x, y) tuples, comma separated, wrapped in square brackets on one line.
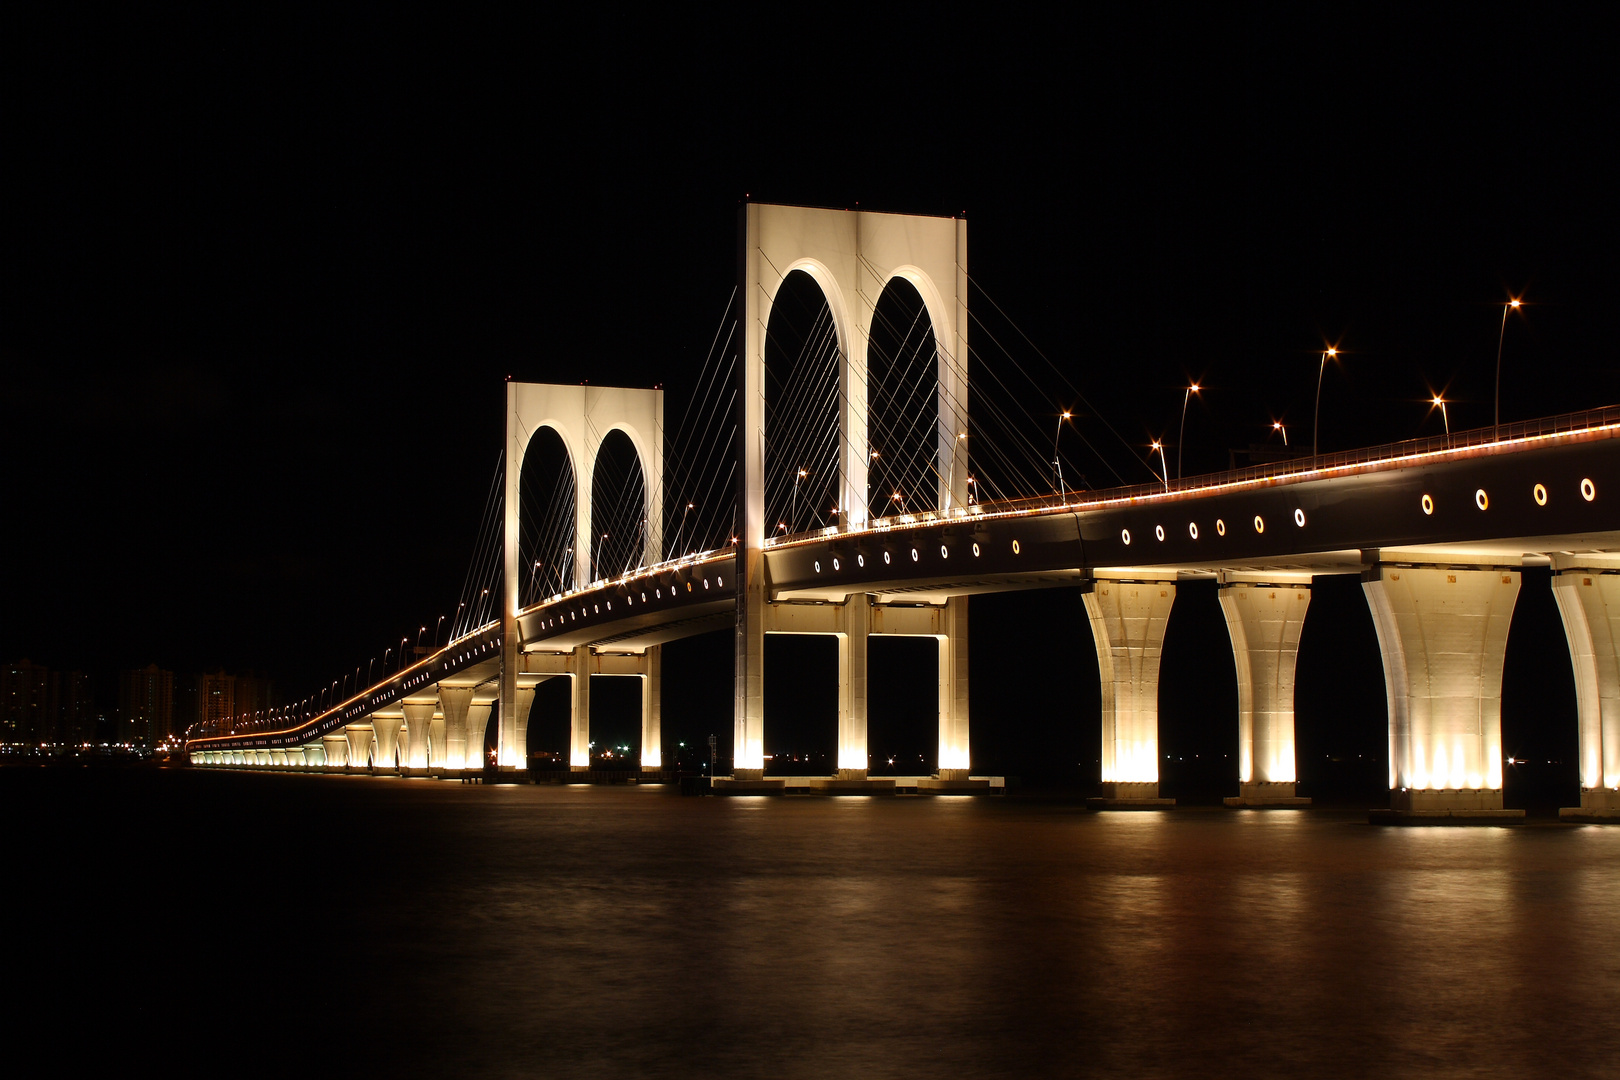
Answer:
[(1294, 469)]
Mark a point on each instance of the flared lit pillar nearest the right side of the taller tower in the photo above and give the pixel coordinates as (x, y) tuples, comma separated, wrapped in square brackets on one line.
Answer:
[(1128, 629)]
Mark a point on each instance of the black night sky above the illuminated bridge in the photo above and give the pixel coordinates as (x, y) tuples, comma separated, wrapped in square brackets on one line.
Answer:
[(263, 279)]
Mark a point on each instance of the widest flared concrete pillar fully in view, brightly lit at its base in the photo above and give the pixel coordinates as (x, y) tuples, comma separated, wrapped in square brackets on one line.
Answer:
[(1444, 634)]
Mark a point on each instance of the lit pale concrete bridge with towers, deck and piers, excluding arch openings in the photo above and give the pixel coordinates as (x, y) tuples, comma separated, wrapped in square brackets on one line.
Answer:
[(1438, 530)]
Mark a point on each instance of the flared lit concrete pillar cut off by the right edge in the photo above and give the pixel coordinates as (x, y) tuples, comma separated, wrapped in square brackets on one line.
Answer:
[(1588, 593)]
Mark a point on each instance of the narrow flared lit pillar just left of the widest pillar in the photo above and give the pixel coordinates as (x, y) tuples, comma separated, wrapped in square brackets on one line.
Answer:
[(1264, 618)]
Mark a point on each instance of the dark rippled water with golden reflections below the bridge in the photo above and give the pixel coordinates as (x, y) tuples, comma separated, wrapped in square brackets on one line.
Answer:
[(445, 930)]
